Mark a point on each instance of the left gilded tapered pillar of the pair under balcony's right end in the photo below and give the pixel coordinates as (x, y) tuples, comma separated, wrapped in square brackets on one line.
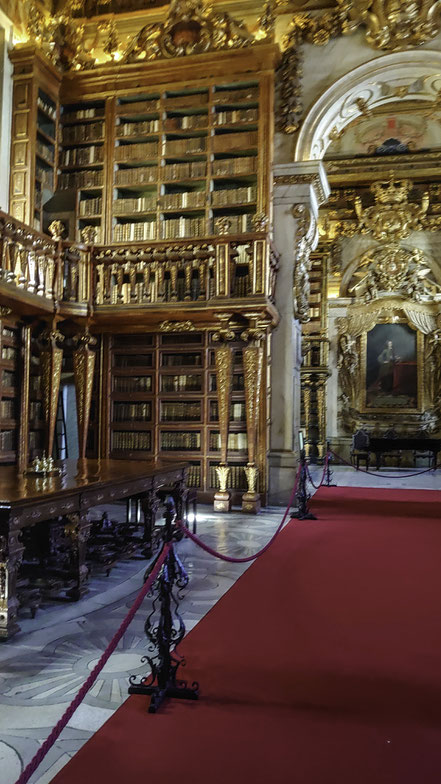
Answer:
[(224, 372)]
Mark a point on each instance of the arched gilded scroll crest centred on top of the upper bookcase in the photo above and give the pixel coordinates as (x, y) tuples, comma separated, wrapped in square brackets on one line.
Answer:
[(191, 27)]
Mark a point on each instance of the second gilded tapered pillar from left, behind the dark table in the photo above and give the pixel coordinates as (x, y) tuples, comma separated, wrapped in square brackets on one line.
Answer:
[(84, 366)]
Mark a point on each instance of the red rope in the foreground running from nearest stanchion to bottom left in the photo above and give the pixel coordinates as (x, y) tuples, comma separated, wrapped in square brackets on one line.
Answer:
[(68, 713)]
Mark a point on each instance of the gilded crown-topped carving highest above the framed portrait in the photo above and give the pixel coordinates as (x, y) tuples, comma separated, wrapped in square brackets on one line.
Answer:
[(392, 217)]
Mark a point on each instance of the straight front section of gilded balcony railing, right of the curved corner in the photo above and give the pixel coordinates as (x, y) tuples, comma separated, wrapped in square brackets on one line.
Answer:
[(186, 270)]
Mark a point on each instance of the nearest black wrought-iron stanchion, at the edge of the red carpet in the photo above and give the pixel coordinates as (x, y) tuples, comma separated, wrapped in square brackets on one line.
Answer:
[(165, 628)]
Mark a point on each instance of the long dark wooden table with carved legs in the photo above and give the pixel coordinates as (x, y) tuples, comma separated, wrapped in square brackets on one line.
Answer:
[(27, 500)]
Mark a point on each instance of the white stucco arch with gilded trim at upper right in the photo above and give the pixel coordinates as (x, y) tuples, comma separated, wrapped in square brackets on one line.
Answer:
[(410, 75)]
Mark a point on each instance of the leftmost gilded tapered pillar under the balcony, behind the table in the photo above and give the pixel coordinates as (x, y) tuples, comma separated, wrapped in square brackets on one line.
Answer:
[(51, 358)]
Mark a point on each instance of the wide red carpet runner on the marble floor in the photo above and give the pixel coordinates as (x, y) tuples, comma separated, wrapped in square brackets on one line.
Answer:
[(322, 665)]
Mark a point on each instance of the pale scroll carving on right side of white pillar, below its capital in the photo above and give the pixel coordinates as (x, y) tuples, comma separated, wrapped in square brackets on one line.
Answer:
[(304, 241)]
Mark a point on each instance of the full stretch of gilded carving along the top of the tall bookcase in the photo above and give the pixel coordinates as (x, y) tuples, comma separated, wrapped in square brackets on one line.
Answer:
[(189, 27)]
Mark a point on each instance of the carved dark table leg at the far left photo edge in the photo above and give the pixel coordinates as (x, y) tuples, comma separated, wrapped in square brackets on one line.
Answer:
[(11, 554)]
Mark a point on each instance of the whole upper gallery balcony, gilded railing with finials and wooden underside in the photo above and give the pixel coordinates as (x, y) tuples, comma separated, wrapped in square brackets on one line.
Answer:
[(136, 282)]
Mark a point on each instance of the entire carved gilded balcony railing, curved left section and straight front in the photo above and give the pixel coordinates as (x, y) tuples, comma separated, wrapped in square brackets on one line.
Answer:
[(144, 274)]
